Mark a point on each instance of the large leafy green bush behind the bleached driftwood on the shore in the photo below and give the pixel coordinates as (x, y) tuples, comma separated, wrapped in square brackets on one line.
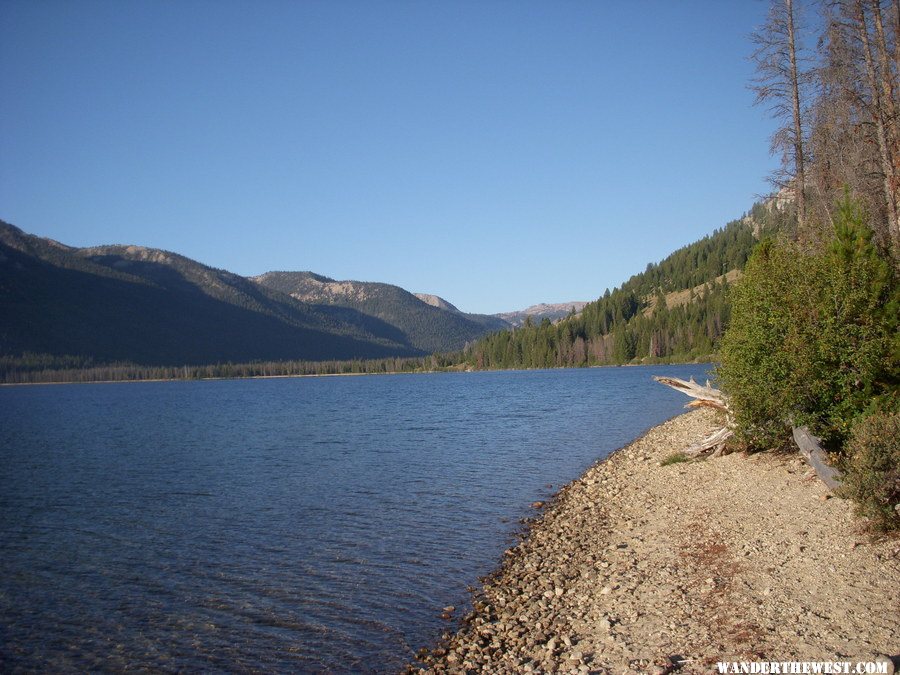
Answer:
[(813, 335)]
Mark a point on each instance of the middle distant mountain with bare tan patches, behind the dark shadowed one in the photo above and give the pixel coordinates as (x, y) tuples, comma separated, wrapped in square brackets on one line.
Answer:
[(425, 326)]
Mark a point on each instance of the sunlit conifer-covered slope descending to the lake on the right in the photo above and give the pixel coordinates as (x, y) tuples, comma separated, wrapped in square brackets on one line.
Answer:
[(634, 323)]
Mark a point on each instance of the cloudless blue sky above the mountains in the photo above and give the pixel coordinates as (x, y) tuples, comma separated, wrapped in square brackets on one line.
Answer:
[(495, 153)]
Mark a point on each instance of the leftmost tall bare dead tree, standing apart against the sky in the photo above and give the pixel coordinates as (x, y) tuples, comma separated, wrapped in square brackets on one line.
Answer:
[(779, 83)]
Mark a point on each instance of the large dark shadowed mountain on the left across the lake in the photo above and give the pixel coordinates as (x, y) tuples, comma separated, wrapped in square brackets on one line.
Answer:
[(147, 306)]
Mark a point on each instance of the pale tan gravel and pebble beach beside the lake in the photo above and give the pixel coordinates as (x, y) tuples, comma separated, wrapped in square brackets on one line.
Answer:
[(738, 558)]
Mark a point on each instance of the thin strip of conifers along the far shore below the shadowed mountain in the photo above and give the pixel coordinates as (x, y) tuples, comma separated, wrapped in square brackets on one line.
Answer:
[(45, 369)]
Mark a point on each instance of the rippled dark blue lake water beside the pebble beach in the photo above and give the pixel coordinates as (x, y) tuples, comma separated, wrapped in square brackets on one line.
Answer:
[(281, 525)]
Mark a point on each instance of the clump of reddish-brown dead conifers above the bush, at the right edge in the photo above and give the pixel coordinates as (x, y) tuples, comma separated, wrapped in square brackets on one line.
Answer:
[(853, 126)]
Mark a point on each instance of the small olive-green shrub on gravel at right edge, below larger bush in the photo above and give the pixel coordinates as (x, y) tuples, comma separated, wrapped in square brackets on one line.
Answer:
[(872, 475)]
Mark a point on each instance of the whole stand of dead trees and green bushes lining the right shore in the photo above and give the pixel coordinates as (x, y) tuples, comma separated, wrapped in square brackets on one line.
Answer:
[(815, 331)]
